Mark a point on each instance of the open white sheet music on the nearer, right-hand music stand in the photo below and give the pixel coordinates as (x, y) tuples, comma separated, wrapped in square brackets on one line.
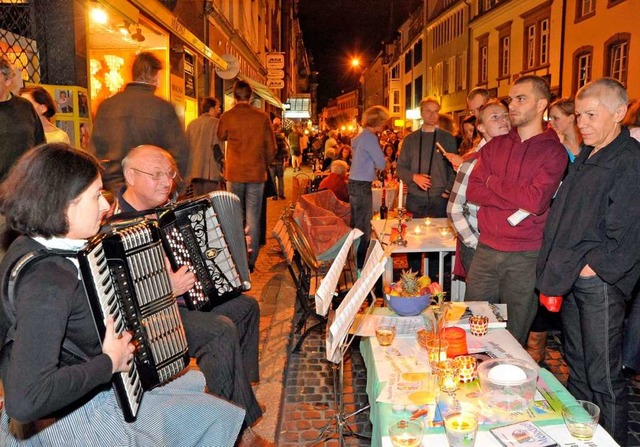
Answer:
[(346, 312)]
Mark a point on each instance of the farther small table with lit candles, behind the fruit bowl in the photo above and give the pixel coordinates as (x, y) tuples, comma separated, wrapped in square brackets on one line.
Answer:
[(429, 240)]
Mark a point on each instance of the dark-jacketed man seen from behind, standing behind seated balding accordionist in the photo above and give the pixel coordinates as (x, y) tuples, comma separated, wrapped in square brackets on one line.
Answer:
[(136, 116)]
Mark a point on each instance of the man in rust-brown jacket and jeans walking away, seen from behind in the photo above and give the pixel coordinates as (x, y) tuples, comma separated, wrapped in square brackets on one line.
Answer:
[(251, 146)]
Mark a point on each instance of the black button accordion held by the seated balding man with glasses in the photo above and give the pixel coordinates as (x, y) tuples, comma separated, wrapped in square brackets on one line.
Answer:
[(207, 234)]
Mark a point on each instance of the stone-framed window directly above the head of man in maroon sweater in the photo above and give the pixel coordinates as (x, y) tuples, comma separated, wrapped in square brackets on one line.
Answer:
[(537, 37)]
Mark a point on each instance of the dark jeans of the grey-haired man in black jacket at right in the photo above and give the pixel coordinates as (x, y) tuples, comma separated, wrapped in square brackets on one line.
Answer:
[(592, 320)]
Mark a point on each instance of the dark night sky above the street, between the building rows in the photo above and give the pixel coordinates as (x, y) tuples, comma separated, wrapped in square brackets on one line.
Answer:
[(334, 31)]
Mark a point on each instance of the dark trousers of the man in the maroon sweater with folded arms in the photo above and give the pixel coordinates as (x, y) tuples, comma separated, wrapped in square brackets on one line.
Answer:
[(506, 277)]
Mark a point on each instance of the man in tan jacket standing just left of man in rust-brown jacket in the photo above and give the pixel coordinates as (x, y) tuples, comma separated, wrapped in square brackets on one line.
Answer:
[(206, 159)]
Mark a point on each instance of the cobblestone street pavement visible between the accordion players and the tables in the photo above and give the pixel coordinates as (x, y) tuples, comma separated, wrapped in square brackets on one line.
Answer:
[(297, 388)]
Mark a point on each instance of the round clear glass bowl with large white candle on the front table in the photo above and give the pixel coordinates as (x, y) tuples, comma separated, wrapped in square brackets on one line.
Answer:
[(508, 385)]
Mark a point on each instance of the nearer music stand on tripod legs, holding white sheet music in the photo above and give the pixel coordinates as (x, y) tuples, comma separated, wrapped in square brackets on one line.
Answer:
[(338, 342)]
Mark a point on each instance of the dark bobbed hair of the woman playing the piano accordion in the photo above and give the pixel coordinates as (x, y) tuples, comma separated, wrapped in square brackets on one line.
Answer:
[(42, 184)]
